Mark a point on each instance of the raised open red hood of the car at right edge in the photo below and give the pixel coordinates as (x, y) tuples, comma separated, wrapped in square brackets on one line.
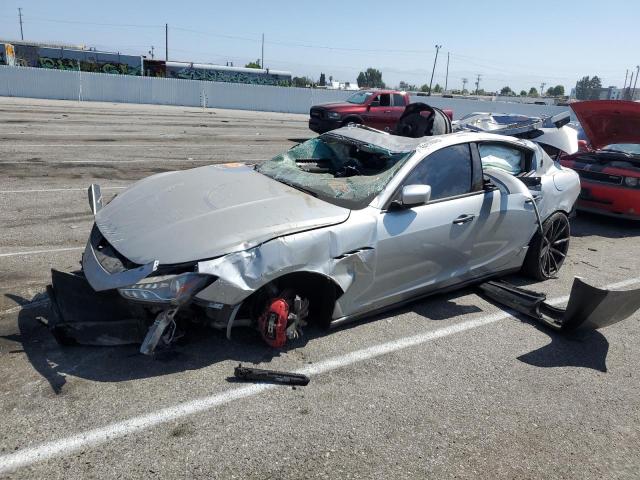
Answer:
[(606, 122)]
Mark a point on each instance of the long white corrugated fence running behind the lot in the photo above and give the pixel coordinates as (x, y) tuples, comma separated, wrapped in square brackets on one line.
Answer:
[(99, 87)]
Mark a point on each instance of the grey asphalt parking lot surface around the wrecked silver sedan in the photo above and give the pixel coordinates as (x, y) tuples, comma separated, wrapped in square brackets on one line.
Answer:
[(448, 387)]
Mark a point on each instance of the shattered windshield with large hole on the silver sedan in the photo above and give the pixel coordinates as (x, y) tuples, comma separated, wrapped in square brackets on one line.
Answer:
[(336, 169)]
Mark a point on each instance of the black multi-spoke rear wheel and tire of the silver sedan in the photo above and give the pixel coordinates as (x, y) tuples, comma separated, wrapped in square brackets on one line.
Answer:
[(547, 253)]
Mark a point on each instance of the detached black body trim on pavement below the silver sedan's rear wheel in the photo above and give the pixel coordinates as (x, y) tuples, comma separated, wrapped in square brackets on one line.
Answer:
[(588, 307)]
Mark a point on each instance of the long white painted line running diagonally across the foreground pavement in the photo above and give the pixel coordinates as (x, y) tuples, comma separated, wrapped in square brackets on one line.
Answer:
[(97, 436)]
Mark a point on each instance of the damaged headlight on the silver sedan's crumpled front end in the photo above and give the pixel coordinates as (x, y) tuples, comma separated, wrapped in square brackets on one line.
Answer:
[(167, 289)]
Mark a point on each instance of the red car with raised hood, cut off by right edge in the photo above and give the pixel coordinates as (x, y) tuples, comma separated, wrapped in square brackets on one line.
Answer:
[(610, 168)]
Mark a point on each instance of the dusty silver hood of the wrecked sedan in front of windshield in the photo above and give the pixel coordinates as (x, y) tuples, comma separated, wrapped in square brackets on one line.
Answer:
[(206, 212)]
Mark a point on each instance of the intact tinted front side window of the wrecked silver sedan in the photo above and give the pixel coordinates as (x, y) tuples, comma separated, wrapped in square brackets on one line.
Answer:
[(448, 171)]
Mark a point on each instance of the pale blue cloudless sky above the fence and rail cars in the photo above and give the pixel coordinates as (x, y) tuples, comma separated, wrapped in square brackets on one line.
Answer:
[(514, 43)]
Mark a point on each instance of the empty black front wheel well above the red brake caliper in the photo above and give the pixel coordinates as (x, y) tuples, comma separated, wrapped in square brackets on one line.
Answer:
[(322, 292)]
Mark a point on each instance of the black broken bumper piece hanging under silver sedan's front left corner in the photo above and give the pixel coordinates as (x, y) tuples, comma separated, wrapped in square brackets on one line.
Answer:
[(80, 315)]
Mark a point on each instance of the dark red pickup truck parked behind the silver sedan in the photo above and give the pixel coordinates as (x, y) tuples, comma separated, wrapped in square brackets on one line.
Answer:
[(379, 109)]
